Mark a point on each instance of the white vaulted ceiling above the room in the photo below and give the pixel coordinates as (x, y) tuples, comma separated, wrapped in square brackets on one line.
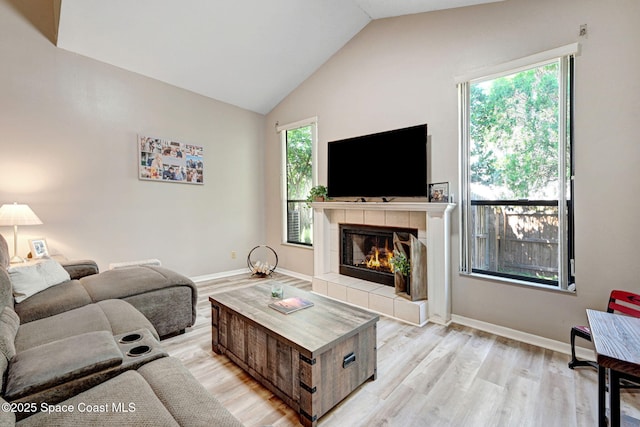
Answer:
[(249, 53)]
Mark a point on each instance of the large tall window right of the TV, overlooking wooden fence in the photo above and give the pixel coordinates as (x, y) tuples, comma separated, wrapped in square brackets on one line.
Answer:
[(517, 174)]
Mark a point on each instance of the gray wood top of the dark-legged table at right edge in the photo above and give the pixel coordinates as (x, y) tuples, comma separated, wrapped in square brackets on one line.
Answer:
[(617, 341)]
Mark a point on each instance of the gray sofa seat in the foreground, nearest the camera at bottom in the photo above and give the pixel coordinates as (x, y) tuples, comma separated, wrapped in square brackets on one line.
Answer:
[(160, 393)]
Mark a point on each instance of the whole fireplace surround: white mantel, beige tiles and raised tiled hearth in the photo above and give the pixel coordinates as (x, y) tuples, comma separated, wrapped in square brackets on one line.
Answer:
[(432, 220)]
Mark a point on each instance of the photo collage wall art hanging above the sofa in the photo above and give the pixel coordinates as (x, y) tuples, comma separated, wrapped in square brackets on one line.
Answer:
[(166, 160)]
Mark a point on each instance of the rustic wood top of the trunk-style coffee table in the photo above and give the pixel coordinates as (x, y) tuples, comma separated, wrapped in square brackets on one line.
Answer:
[(313, 329)]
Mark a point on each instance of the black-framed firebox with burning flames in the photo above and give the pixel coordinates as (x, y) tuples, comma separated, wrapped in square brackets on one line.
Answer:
[(365, 251)]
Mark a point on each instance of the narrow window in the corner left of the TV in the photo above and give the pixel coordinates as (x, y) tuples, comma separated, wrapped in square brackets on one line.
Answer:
[(299, 175)]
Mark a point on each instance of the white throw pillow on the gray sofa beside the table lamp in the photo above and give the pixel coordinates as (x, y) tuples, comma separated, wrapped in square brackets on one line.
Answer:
[(29, 279)]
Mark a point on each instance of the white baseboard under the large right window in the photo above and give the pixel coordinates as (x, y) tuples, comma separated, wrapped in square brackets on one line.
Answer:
[(559, 346)]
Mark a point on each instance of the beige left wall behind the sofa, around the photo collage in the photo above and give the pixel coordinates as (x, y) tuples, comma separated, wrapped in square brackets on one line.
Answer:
[(68, 128)]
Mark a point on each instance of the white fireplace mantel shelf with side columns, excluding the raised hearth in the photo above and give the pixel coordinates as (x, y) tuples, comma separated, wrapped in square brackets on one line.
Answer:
[(438, 240)]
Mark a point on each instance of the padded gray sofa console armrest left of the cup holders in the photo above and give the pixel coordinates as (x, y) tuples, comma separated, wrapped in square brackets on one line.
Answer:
[(61, 361)]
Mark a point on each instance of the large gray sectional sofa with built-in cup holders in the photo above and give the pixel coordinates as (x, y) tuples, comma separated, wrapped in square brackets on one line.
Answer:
[(84, 352)]
